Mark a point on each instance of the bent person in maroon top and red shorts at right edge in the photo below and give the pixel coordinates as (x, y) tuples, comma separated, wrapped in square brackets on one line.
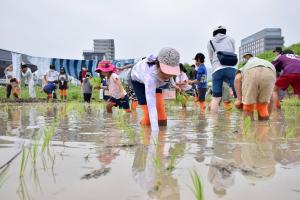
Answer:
[(289, 64)]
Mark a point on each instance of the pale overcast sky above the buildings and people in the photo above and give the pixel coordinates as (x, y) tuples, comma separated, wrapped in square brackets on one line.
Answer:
[(64, 28)]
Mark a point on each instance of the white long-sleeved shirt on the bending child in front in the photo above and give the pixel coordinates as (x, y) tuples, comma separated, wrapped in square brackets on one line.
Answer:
[(148, 75)]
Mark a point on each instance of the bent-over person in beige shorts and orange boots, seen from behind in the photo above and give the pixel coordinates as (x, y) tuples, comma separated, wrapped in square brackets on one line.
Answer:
[(254, 87)]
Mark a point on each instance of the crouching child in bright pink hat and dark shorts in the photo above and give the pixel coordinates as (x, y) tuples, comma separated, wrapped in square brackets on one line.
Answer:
[(117, 94)]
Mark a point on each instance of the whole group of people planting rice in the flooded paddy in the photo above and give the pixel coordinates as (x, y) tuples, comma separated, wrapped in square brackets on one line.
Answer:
[(255, 86)]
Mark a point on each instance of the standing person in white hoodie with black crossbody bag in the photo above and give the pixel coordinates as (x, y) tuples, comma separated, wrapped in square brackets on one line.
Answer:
[(221, 43)]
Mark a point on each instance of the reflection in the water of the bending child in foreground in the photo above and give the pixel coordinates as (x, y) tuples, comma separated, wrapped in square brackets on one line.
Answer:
[(150, 167)]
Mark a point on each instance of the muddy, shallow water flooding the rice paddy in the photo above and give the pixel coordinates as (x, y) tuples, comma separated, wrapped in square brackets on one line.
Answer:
[(93, 155)]
